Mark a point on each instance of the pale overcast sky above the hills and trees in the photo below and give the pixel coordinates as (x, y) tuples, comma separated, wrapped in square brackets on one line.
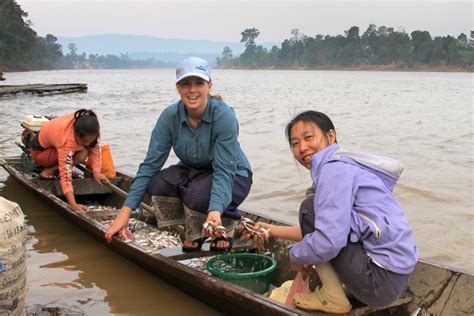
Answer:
[(224, 20)]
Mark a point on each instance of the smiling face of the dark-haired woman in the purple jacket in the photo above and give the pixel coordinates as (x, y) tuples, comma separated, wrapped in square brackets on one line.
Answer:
[(307, 139)]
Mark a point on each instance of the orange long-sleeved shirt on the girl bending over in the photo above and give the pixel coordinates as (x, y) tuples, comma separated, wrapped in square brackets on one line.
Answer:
[(59, 133)]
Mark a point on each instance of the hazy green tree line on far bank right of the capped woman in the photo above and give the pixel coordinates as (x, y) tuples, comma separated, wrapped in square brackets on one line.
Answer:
[(376, 46)]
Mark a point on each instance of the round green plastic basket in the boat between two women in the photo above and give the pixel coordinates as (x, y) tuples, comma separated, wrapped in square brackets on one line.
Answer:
[(249, 270)]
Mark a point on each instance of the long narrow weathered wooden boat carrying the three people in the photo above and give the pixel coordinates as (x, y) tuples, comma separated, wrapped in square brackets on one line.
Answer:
[(432, 290)]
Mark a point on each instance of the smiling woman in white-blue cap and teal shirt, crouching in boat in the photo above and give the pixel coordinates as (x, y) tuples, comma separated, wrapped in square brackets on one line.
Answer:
[(213, 176)]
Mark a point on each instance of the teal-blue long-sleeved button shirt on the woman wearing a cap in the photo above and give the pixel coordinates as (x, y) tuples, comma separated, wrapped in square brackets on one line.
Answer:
[(213, 145)]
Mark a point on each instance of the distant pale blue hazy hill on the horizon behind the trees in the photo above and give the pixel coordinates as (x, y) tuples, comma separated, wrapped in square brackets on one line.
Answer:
[(145, 47)]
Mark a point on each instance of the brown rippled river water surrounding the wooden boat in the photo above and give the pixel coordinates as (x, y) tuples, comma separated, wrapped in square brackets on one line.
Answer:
[(424, 120)]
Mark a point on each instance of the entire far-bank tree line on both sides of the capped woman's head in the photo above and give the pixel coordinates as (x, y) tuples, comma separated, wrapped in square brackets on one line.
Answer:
[(22, 49)]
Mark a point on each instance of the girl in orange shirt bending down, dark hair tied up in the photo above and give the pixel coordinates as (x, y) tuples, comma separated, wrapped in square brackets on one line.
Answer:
[(67, 141)]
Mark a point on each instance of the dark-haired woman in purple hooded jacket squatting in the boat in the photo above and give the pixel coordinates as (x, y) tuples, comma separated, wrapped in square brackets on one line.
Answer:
[(352, 228)]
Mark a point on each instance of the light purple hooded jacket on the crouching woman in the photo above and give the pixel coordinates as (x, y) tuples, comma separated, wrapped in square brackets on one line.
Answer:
[(354, 199)]
